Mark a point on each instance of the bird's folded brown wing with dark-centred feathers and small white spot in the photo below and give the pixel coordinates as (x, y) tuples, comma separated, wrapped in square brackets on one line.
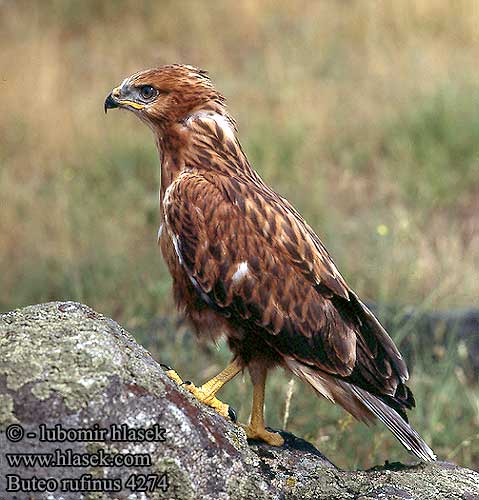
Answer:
[(253, 258)]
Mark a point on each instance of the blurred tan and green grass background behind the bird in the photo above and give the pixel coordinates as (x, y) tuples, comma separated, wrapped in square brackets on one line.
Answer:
[(363, 113)]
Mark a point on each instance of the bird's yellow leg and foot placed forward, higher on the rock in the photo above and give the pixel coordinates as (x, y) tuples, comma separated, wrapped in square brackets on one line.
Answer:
[(206, 393)]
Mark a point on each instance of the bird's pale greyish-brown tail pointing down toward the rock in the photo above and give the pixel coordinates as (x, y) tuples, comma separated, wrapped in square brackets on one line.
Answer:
[(363, 406)]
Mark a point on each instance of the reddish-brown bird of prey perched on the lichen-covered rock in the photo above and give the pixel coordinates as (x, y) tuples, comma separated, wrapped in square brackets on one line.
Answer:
[(246, 264)]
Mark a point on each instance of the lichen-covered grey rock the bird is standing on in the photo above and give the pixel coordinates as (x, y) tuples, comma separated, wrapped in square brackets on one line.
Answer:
[(65, 368)]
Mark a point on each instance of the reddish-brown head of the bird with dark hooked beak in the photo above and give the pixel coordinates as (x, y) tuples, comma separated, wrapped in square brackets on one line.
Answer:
[(165, 95)]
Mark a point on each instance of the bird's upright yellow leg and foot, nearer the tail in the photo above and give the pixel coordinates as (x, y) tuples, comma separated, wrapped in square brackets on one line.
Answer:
[(256, 429)]
